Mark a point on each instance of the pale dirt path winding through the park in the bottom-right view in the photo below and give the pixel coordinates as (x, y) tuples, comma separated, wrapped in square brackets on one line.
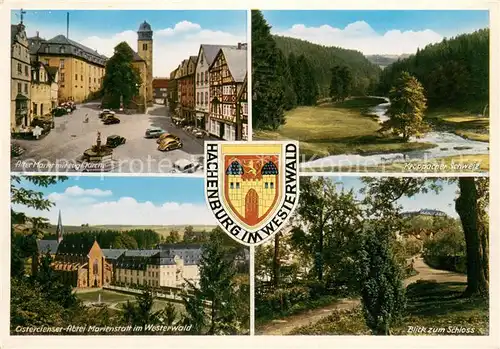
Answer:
[(288, 324)]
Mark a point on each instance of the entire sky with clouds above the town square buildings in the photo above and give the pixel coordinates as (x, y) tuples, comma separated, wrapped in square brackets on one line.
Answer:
[(177, 34)]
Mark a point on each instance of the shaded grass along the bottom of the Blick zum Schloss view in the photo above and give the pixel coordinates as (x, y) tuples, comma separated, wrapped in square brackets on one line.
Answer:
[(434, 308)]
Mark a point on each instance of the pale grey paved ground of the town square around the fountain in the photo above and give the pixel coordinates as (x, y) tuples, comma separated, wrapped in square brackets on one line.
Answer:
[(72, 136)]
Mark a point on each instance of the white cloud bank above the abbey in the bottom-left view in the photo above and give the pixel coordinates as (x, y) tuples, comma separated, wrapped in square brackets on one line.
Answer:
[(77, 210)]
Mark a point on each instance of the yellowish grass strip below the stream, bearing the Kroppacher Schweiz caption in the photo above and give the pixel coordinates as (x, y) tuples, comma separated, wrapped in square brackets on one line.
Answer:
[(450, 164)]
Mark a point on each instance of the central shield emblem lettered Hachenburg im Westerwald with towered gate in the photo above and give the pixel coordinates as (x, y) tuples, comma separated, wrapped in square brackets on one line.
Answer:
[(251, 187)]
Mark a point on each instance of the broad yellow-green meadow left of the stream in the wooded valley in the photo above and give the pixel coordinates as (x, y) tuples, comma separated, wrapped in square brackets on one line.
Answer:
[(338, 128)]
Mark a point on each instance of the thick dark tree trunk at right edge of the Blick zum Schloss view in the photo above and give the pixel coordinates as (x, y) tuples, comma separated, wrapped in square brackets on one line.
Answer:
[(467, 208)]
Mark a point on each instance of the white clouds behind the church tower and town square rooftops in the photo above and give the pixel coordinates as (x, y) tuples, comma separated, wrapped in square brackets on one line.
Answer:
[(170, 45)]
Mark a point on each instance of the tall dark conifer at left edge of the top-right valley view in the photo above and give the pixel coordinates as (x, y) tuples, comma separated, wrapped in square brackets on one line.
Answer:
[(267, 85)]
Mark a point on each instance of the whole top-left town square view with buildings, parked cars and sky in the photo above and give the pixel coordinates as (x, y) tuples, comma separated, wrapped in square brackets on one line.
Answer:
[(138, 102)]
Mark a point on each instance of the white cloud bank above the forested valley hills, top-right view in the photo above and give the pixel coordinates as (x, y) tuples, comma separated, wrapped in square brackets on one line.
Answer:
[(361, 36)]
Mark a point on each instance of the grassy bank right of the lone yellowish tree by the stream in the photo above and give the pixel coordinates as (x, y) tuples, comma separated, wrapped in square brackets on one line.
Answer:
[(462, 123)]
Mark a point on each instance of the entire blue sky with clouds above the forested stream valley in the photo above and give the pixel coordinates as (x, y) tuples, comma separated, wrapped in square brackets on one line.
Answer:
[(376, 31)]
